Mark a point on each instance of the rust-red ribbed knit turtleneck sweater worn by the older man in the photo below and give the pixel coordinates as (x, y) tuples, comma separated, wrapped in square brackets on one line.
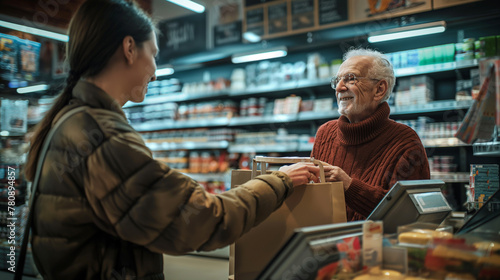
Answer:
[(375, 153)]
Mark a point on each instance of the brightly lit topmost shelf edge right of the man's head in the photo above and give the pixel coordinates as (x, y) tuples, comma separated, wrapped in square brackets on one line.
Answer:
[(435, 68)]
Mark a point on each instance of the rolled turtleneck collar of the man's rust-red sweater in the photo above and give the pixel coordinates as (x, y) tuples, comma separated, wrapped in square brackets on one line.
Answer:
[(366, 130)]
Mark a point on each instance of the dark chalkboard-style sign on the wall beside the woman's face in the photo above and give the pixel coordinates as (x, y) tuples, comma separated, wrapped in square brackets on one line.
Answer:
[(182, 36)]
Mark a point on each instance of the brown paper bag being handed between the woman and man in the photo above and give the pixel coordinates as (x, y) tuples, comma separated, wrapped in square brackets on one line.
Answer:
[(309, 205)]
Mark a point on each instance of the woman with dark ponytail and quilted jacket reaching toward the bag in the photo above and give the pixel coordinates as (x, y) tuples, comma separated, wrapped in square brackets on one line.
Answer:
[(104, 208)]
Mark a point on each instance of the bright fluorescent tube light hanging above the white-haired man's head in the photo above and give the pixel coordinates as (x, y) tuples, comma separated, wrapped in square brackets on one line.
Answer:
[(407, 32)]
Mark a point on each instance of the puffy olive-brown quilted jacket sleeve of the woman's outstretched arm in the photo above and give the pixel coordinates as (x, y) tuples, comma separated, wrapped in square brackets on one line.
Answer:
[(143, 201)]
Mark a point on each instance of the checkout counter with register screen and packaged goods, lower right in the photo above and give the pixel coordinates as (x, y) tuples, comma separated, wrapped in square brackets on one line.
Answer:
[(342, 251)]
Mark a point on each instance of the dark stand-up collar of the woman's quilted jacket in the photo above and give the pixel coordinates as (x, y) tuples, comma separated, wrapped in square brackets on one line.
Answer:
[(95, 97)]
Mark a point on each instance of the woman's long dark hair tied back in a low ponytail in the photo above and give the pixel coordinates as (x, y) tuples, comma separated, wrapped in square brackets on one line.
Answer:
[(95, 32)]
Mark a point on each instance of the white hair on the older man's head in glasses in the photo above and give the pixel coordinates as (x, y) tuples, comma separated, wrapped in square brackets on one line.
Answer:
[(381, 67)]
